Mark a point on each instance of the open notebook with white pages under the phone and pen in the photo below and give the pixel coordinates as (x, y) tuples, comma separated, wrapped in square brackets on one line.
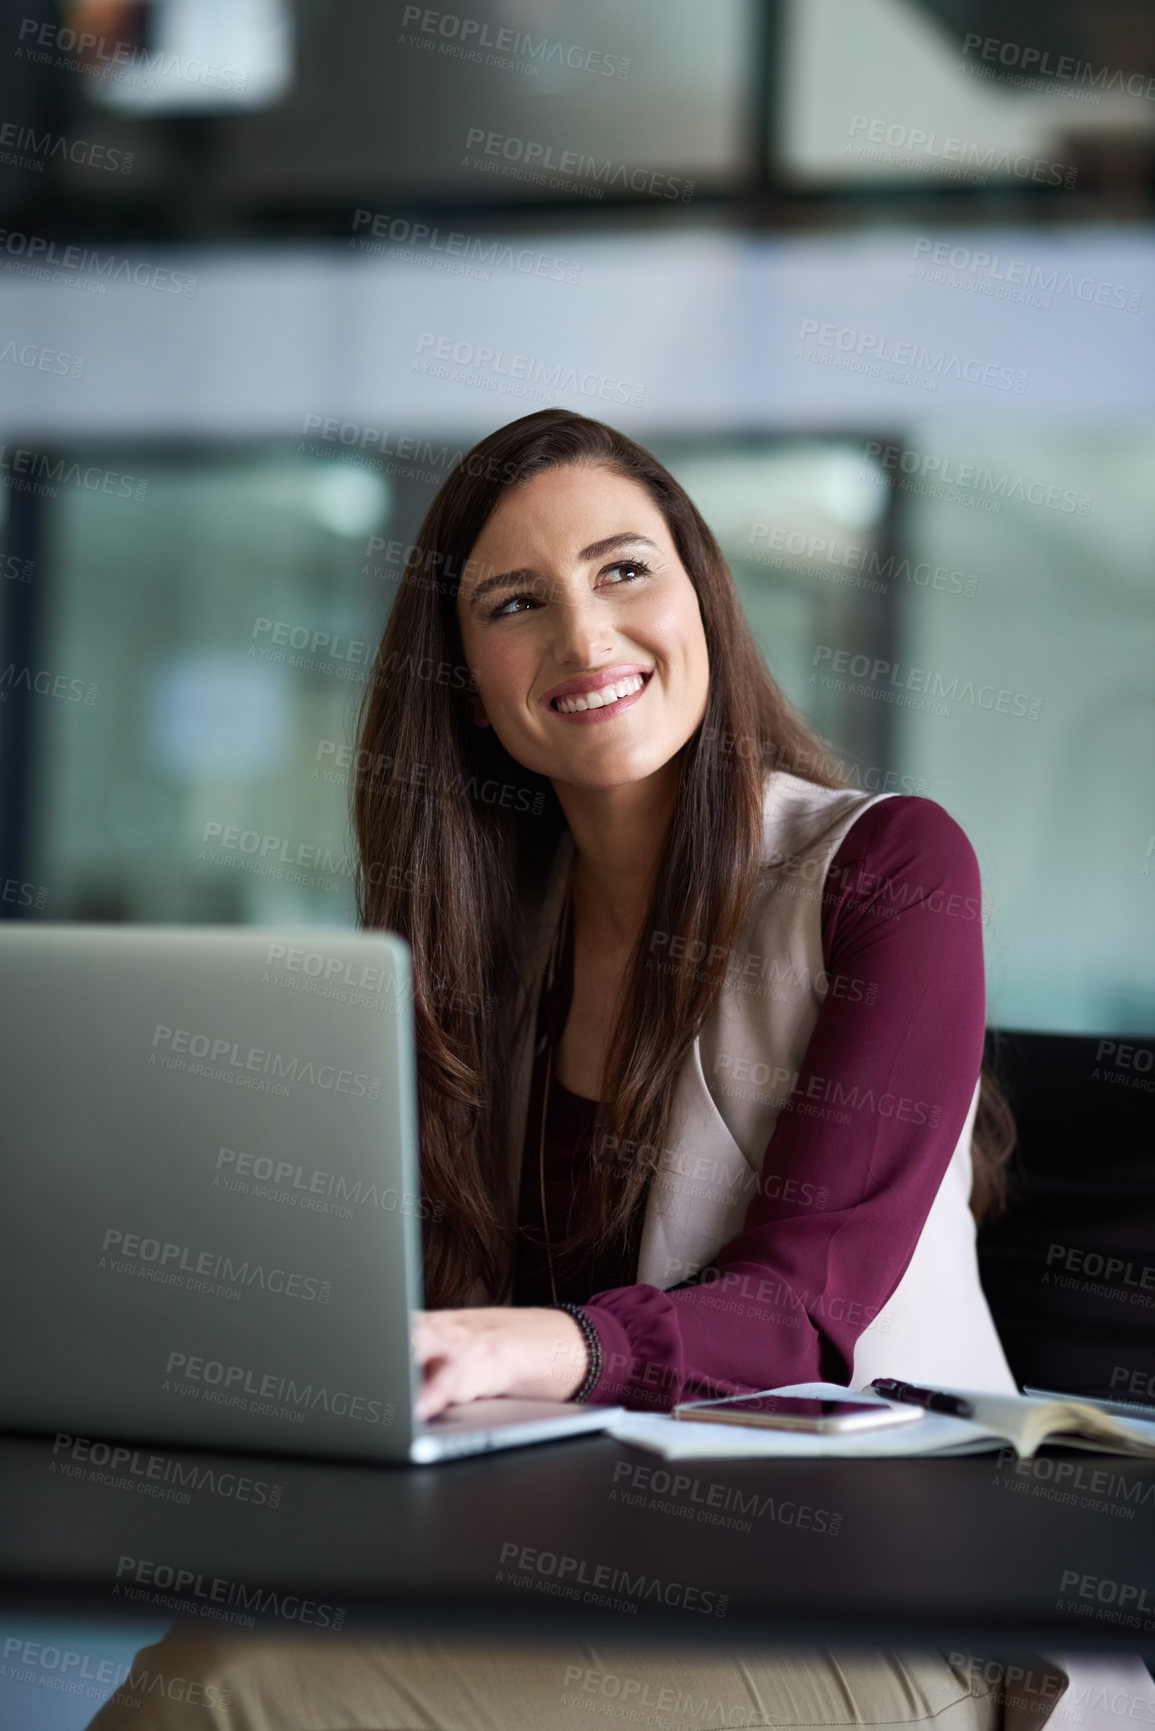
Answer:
[(1000, 1422)]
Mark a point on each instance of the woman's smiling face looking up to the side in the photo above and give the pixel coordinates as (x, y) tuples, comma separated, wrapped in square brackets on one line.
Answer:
[(583, 629)]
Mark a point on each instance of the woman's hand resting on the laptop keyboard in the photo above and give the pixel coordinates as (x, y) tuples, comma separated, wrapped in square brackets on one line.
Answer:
[(532, 1355)]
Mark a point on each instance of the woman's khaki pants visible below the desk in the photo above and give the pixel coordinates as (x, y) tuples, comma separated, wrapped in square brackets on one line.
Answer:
[(203, 1682)]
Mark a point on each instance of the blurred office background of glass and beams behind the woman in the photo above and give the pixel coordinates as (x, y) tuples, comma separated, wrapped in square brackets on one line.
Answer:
[(875, 278)]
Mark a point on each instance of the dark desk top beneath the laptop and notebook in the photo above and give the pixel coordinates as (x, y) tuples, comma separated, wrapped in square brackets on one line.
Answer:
[(932, 1554)]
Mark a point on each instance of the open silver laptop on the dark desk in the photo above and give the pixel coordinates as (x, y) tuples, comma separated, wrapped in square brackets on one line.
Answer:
[(212, 1199)]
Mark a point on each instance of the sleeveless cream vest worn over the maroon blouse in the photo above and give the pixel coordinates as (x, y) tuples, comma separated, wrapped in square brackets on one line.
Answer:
[(936, 1327)]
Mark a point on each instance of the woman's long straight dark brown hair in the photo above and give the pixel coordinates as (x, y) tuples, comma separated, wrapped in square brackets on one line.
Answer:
[(456, 839)]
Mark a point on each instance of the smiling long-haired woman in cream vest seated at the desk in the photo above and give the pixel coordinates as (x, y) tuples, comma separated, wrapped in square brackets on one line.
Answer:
[(700, 1034)]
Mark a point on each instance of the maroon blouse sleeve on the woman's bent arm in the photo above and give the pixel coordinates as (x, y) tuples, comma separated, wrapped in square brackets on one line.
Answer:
[(846, 1188)]
